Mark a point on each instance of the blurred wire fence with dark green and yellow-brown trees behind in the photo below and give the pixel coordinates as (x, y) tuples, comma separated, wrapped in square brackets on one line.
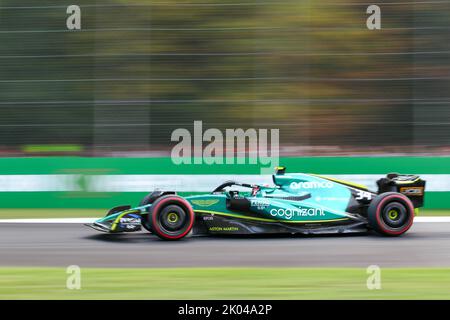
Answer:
[(139, 69)]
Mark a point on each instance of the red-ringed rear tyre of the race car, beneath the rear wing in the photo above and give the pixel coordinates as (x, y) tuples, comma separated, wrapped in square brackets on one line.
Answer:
[(391, 214)]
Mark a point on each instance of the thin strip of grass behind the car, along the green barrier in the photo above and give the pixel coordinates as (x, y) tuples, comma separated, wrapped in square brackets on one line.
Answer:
[(83, 213)]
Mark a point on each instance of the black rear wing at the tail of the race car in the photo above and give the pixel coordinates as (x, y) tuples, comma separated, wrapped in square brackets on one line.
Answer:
[(410, 185)]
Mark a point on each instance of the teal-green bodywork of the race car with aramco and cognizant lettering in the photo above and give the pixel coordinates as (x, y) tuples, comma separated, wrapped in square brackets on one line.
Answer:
[(323, 200)]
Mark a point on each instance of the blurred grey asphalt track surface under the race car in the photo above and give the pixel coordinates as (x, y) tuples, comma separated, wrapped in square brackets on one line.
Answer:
[(425, 245)]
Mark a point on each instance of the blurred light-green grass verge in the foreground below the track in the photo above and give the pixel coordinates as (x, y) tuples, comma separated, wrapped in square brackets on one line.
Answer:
[(225, 283)]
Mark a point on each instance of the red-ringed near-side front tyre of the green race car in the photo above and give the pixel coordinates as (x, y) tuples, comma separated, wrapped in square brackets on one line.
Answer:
[(171, 217)]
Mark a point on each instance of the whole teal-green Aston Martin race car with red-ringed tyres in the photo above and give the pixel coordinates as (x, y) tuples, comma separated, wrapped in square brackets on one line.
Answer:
[(296, 203)]
